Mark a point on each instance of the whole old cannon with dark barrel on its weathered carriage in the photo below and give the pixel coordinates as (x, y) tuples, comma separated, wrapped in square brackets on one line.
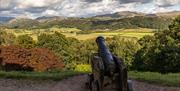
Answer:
[(108, 71)]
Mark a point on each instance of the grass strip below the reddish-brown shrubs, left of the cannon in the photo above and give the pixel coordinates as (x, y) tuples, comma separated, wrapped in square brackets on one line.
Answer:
[(57, 75)]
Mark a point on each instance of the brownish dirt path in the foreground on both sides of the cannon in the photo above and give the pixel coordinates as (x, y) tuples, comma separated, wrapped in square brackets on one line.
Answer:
[(76, 83)]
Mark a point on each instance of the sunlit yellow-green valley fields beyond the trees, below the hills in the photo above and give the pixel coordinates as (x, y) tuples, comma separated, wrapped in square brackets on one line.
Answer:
[(72, 32)]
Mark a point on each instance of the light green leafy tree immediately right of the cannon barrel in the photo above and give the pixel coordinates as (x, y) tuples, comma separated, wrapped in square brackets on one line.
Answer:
[(124, 48)]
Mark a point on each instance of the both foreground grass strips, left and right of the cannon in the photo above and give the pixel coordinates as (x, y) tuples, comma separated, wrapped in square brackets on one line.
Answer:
[(170, 79)]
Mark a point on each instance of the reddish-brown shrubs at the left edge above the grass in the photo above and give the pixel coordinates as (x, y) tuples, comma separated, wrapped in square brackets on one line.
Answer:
[(35, 59)]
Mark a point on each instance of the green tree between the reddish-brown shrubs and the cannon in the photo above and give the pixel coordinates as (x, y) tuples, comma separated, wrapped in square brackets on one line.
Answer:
[(62, 46)]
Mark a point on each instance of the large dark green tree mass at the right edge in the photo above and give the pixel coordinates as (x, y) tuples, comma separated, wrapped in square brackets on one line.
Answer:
[(160, 52)]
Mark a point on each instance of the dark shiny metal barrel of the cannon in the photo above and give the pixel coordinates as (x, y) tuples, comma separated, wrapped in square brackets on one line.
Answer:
[(105, 54)]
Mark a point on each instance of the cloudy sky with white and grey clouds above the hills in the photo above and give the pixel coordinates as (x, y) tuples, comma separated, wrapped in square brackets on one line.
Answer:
[(82, 8)]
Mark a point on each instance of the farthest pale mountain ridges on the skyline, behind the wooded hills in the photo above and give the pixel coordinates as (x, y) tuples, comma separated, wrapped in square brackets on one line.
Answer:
[(117, 15)]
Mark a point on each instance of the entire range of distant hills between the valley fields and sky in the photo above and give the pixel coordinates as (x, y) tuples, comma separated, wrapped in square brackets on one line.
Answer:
[(114, 21)]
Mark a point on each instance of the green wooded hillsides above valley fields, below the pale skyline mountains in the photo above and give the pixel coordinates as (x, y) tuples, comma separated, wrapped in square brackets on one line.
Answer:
[(94, 24)]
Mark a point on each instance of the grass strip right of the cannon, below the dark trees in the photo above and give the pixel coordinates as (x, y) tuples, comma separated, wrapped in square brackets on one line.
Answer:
[(170, 79)]
